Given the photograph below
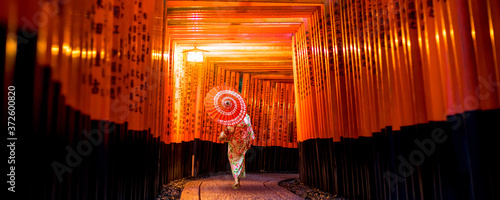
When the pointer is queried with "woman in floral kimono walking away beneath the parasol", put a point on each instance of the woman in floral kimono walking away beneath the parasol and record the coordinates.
(239, 138)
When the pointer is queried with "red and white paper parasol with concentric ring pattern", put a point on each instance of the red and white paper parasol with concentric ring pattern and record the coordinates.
(225, 105)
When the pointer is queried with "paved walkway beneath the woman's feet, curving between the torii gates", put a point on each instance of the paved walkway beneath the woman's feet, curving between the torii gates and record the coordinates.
(254, 186)
